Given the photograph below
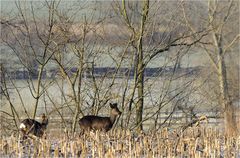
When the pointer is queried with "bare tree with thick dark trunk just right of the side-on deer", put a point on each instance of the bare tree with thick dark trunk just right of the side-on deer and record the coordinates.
(142, 26)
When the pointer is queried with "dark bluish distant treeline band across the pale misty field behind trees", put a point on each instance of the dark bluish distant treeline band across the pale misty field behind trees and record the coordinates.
(104, 71)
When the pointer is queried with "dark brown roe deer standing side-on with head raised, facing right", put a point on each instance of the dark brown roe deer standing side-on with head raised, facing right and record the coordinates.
(92, 122)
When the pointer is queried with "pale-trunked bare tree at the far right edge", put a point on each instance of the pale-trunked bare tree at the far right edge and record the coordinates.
(221, 18)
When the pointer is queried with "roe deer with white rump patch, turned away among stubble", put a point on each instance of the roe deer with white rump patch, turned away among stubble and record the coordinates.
(33, 127)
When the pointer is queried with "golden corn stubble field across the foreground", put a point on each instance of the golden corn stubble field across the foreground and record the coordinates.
(193, 142)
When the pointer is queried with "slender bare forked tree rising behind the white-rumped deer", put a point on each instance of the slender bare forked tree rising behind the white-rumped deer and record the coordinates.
(30, 41)
